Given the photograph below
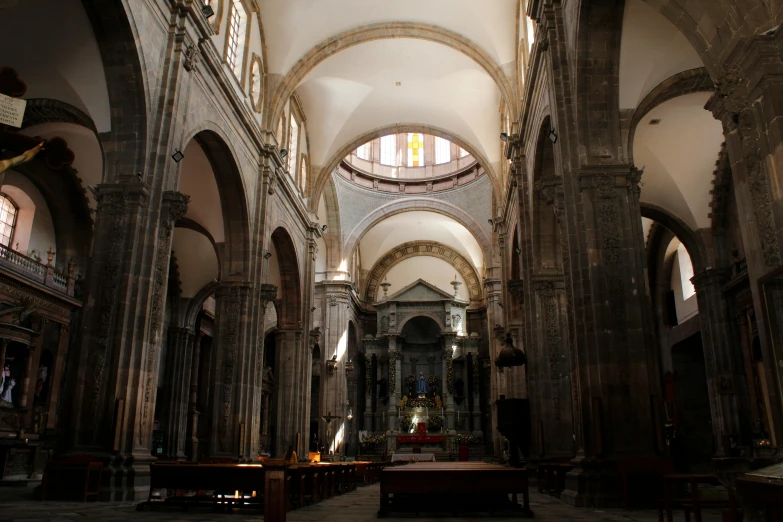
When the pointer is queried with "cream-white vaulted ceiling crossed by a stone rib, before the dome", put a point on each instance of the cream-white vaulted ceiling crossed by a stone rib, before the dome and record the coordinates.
(402, 62)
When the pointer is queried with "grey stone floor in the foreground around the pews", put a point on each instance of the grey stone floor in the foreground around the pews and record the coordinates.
(16, 505)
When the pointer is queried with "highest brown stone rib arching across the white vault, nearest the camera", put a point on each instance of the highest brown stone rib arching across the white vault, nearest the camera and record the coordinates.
(379, 31)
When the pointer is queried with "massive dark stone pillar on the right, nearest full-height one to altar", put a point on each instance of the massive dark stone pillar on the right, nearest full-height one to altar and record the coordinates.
(615, 347)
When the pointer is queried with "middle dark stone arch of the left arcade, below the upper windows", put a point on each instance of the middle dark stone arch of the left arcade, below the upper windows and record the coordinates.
(235, 258)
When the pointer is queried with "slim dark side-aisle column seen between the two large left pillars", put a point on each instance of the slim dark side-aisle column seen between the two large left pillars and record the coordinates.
(177, 380)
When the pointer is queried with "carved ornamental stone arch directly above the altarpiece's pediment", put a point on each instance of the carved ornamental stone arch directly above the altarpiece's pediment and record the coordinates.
(422, 248)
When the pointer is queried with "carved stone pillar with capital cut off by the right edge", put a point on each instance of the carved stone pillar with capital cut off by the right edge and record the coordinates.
(748, 102)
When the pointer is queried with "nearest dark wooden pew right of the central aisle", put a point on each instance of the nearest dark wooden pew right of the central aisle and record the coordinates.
(453, 487)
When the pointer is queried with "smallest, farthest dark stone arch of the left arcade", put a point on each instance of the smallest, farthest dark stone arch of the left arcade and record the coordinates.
(290, 309)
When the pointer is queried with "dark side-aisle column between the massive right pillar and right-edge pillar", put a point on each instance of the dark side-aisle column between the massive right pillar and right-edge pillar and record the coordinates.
(724, 376)
